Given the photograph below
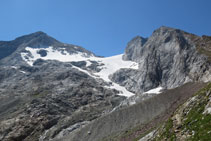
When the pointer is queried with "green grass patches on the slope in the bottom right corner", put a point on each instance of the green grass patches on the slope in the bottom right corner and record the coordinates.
(195, 124)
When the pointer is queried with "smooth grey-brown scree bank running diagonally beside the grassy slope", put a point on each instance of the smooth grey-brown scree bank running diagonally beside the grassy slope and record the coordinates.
(127, 123)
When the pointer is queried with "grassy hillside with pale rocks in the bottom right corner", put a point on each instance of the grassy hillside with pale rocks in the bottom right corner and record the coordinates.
(191, 121)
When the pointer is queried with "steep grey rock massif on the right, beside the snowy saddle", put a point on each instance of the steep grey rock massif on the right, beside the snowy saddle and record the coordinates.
(168, 58)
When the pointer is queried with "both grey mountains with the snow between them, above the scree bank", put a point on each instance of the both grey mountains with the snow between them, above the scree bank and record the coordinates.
(52, 89)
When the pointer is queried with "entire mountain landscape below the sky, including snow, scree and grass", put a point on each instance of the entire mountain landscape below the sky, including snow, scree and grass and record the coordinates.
(158, 89)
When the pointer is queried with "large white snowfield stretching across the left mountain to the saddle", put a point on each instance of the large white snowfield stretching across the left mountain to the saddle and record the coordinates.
(109, 64)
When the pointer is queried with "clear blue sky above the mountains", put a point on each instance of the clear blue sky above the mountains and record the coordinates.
(102, 26)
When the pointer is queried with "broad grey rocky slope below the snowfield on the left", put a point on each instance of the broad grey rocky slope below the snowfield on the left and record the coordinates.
(48, 98)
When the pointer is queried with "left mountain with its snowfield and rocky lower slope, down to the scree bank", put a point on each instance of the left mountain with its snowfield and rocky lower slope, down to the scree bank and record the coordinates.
(46, 84)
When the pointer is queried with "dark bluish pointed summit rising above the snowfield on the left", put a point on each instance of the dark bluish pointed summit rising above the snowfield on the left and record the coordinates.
(34, 40)
